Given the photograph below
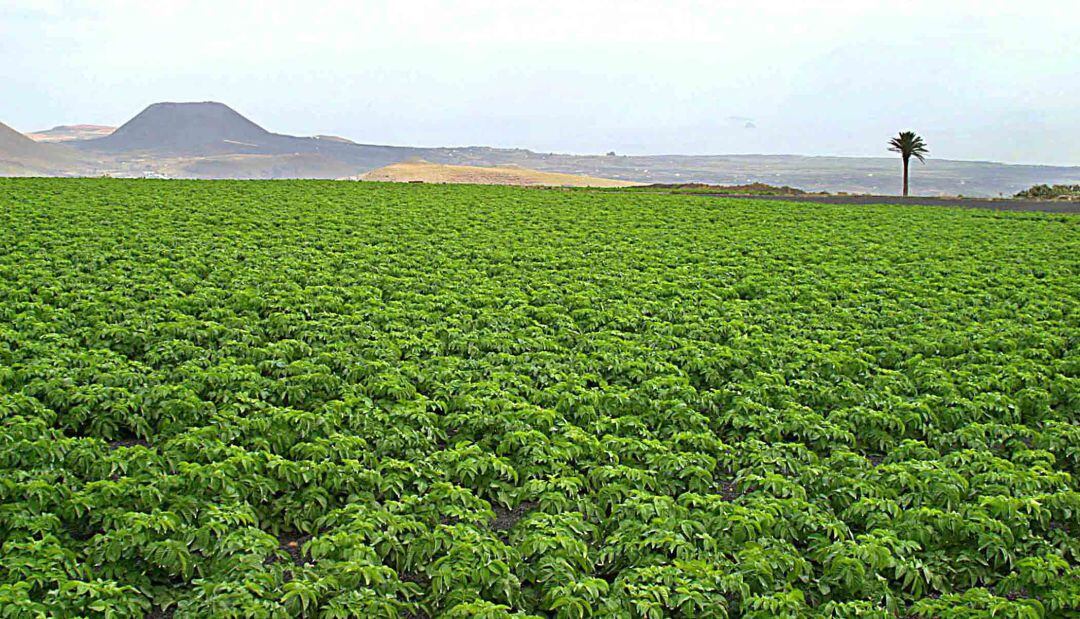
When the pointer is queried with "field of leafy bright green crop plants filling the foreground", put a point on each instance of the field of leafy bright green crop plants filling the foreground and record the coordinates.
(319, 399)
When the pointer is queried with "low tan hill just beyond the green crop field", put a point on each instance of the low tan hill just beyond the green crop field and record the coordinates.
(420, 171)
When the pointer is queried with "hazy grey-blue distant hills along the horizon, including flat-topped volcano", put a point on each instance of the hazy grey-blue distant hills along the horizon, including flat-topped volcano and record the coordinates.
(210, 140)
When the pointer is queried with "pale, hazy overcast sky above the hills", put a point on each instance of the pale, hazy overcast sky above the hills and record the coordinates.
(979, 79)
